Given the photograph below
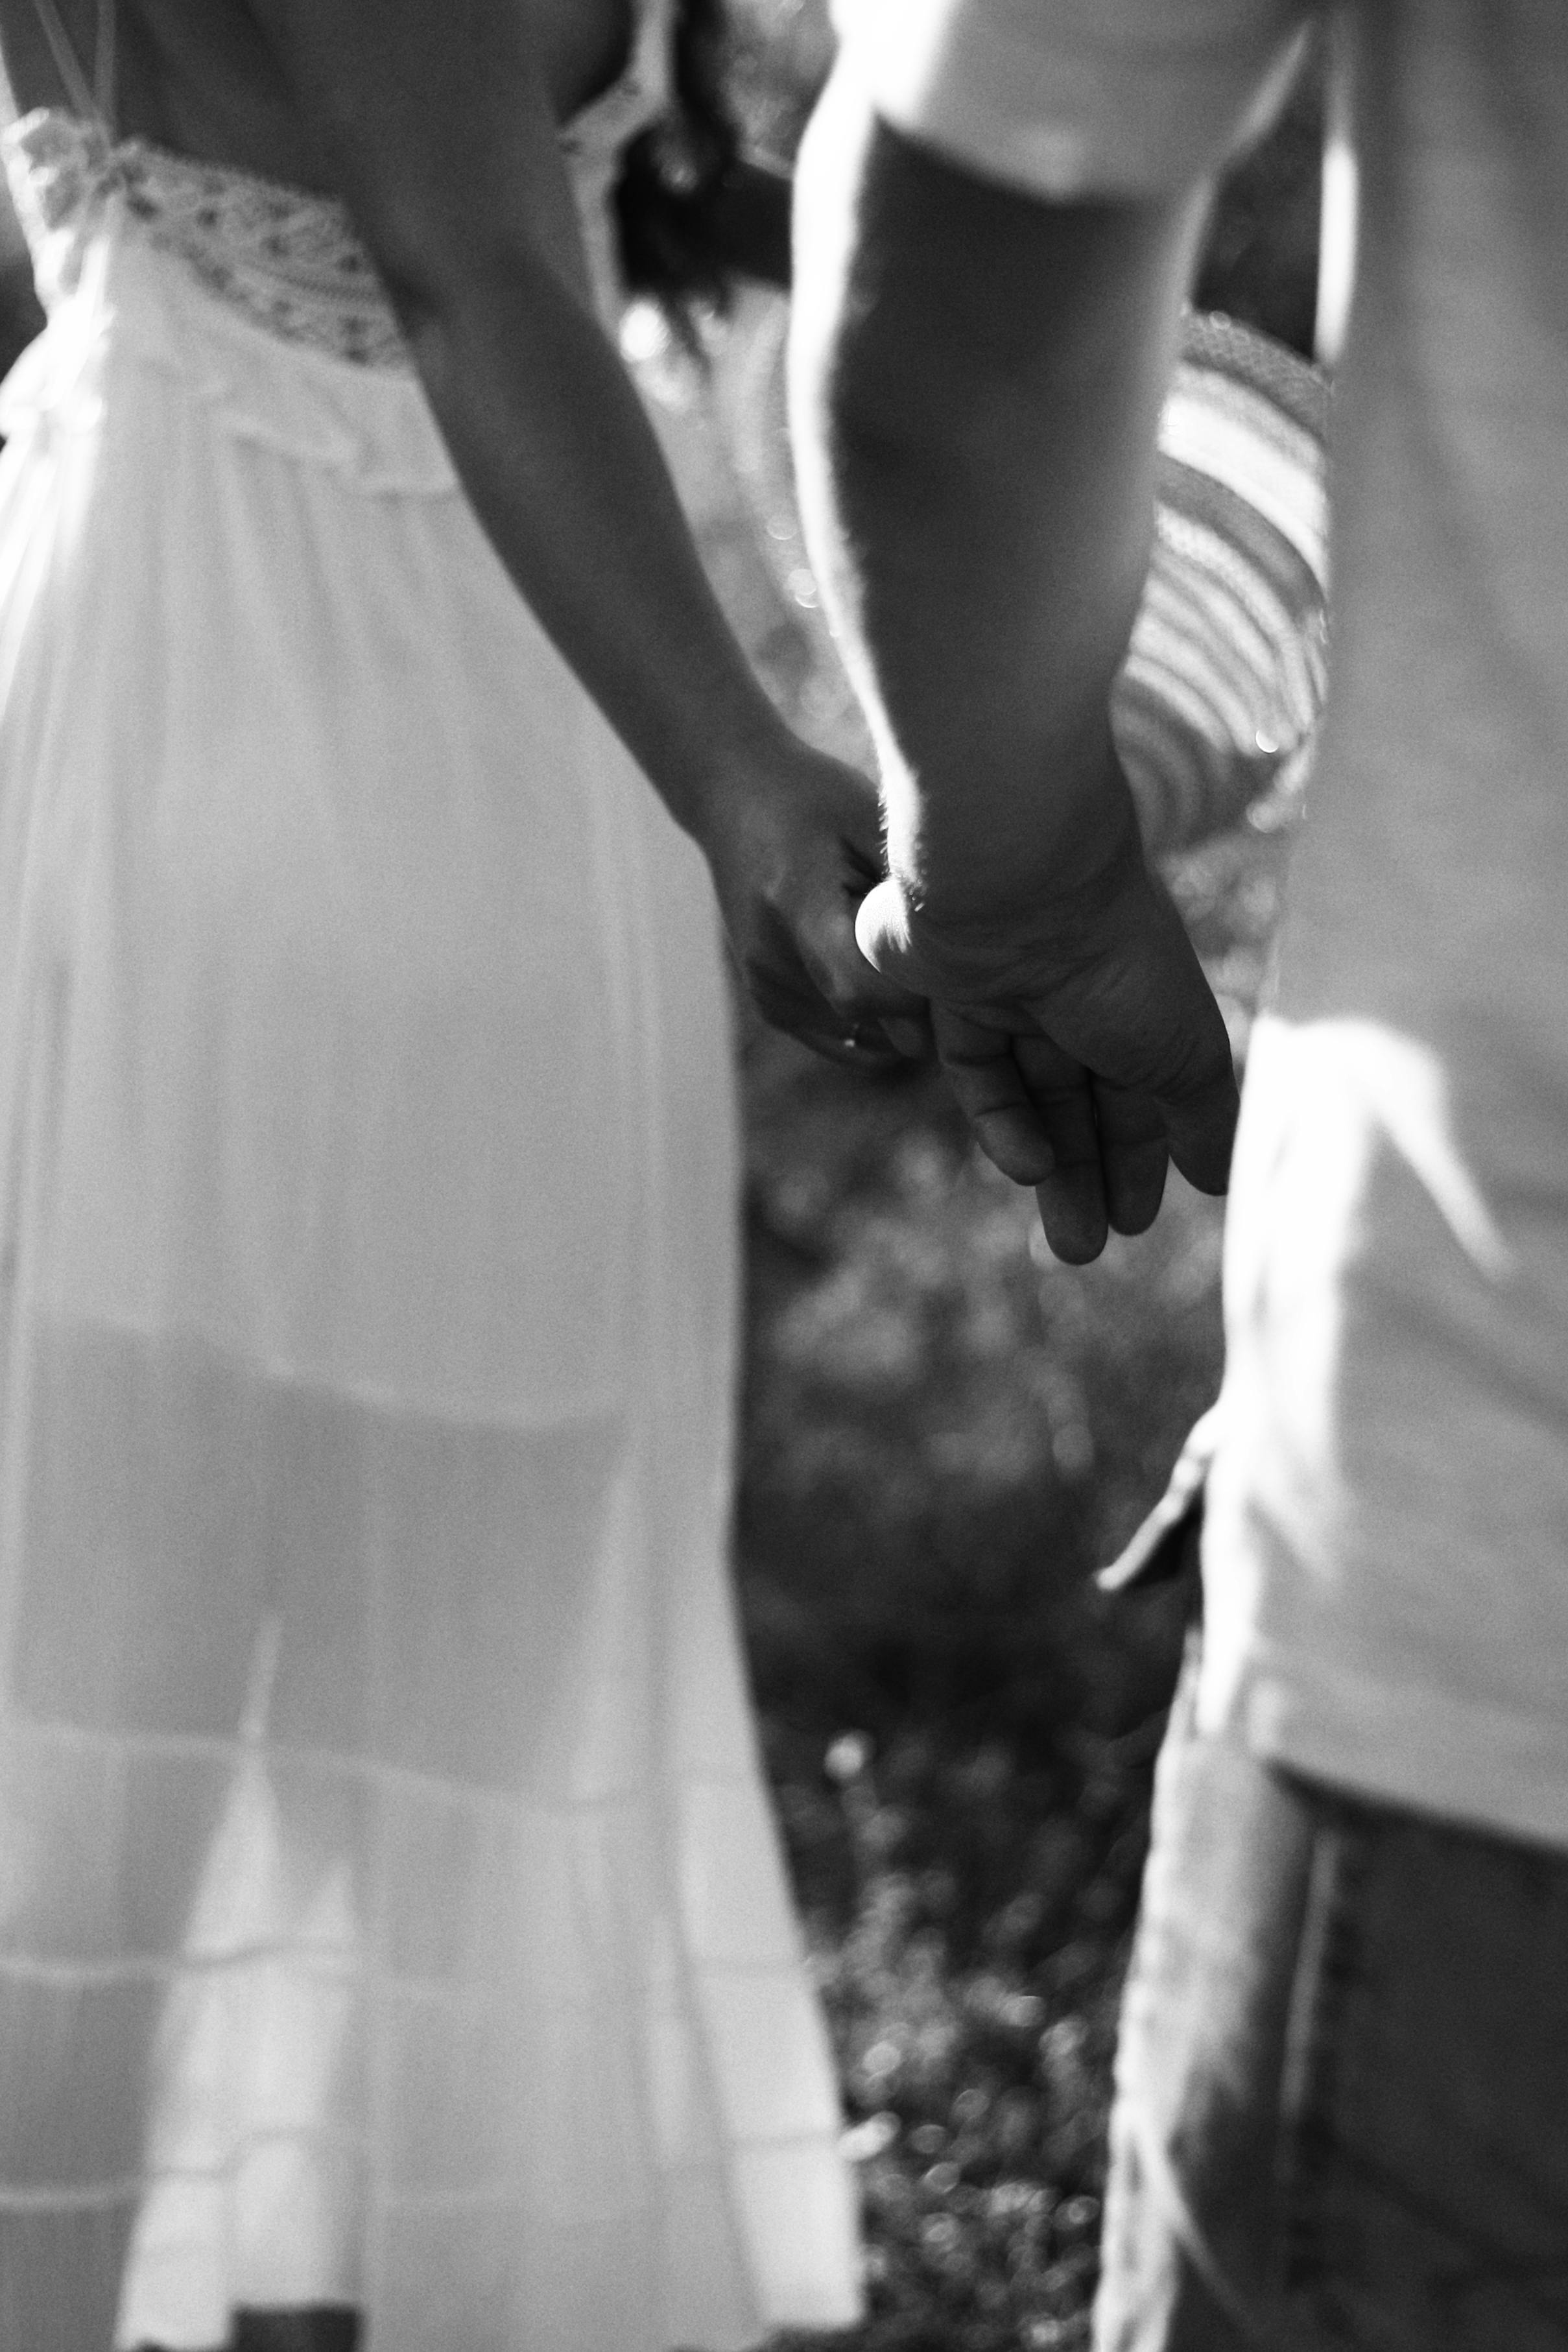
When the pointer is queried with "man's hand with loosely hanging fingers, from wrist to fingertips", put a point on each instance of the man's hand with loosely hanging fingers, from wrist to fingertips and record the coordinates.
(1080, 1038)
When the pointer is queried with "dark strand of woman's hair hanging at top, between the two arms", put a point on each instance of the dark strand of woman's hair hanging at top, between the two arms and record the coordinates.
(674, 178)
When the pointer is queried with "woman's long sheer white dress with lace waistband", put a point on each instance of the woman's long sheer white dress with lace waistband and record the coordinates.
(389, 1899)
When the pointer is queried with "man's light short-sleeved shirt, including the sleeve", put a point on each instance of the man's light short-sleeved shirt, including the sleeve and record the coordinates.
(1386, 1551)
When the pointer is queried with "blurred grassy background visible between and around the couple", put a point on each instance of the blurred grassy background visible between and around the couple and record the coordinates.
(944, 1436)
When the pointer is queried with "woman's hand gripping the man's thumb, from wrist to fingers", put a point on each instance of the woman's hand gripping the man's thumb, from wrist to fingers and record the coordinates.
(793, 848)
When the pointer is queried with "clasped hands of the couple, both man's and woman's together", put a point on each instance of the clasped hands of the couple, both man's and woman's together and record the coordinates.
(1073, 1022)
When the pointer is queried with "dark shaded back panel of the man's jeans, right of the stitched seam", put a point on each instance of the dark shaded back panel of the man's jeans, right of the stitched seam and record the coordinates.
(1423, 2149)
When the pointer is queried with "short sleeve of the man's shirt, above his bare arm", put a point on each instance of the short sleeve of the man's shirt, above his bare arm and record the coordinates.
(1076, 98)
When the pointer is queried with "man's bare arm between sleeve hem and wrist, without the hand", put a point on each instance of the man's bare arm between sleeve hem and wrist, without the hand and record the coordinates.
(977, 382)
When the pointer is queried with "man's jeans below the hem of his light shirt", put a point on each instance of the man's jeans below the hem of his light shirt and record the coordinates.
(1343, 2078)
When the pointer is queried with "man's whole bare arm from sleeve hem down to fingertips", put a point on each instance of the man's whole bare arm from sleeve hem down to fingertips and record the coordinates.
(977, 382)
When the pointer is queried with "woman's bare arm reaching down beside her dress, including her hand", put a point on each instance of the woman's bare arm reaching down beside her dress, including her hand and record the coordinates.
(441, 138)
